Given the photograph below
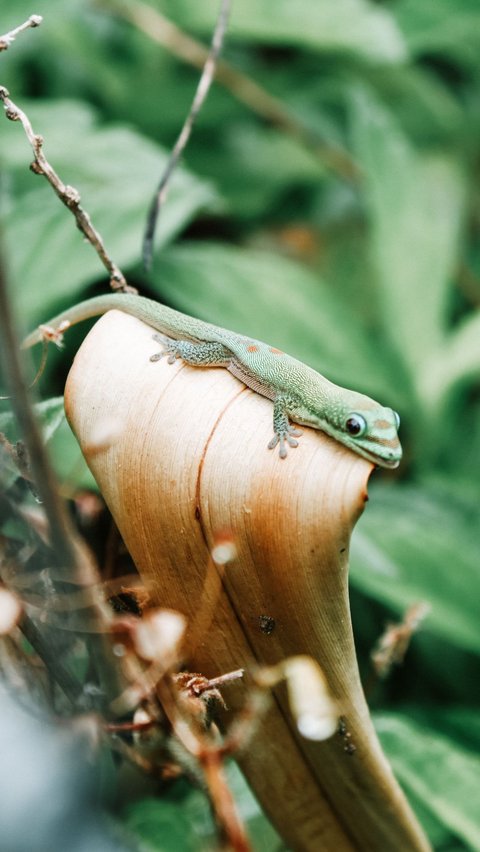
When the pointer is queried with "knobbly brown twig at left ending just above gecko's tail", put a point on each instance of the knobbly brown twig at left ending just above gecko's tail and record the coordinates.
(67, 194)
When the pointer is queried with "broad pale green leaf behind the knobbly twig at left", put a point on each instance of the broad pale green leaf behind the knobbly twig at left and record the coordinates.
(115, 171)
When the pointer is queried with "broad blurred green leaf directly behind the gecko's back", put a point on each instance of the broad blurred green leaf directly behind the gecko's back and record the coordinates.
(275, 299)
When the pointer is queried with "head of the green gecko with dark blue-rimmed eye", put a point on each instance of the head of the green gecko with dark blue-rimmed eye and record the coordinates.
(367, 428)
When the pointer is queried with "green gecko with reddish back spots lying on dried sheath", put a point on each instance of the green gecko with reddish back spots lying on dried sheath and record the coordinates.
(298, 392)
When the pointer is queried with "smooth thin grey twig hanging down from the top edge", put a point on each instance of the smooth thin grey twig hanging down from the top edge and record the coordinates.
(197, 103)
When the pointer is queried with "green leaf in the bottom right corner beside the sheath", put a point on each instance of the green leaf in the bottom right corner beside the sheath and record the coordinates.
(442, 775)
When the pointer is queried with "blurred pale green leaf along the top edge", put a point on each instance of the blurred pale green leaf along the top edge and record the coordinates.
(356, 26)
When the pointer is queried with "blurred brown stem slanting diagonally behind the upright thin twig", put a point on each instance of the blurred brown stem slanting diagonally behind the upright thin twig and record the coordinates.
(157, 27)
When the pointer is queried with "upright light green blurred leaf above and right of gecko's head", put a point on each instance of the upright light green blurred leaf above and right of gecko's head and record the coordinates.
(415, 204)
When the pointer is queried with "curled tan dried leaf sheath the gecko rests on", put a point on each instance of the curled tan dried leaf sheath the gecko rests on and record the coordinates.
(180, 454)
